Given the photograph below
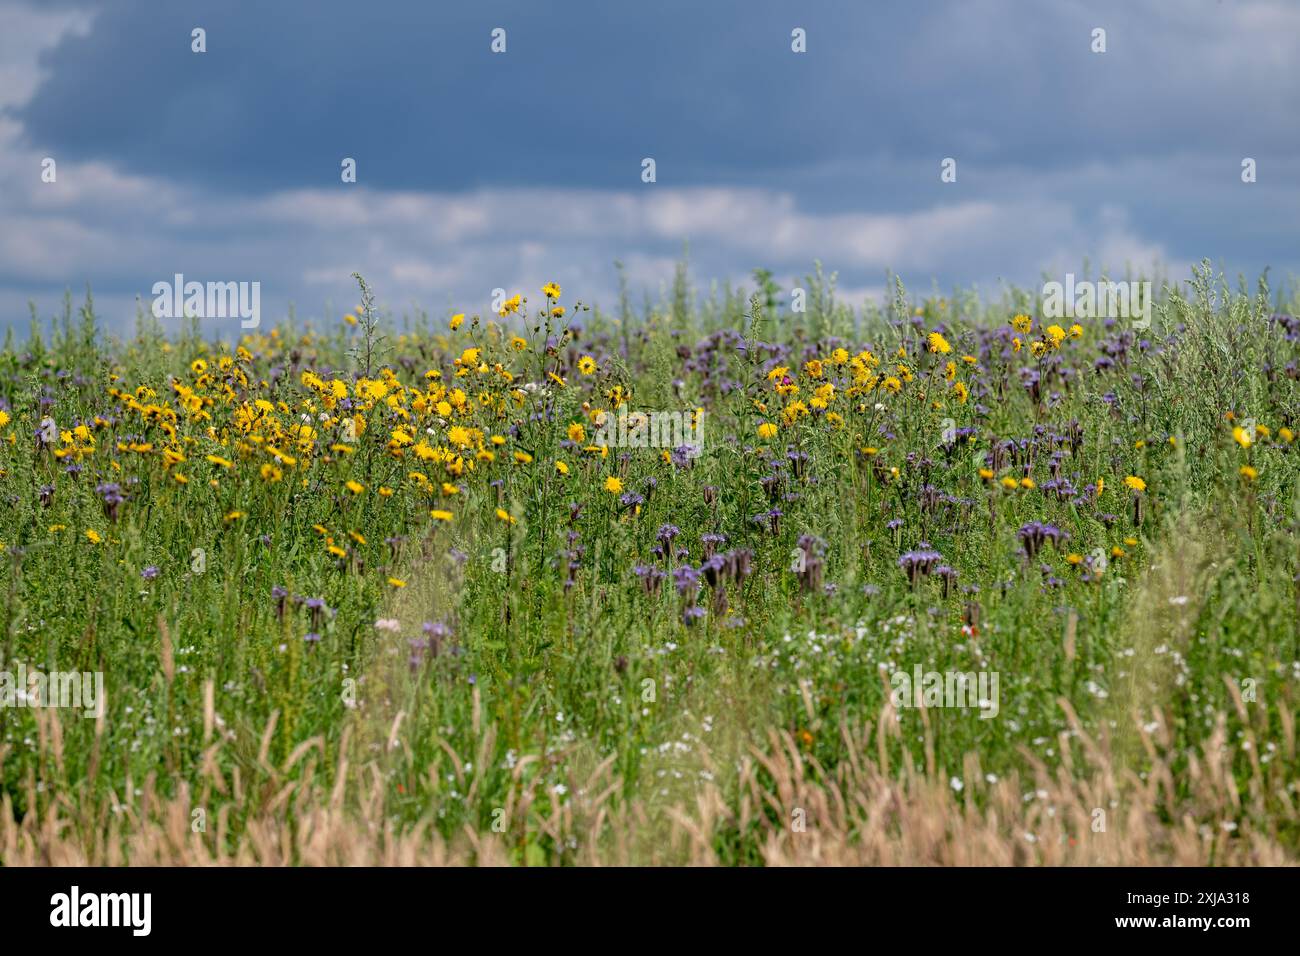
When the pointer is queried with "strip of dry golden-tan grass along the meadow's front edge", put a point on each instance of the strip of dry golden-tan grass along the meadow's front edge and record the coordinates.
(865, 814)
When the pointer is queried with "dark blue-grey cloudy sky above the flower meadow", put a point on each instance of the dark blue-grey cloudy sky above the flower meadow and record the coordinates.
(480, 170)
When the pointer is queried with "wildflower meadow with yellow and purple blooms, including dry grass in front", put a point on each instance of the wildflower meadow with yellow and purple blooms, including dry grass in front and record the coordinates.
(396, 590)
